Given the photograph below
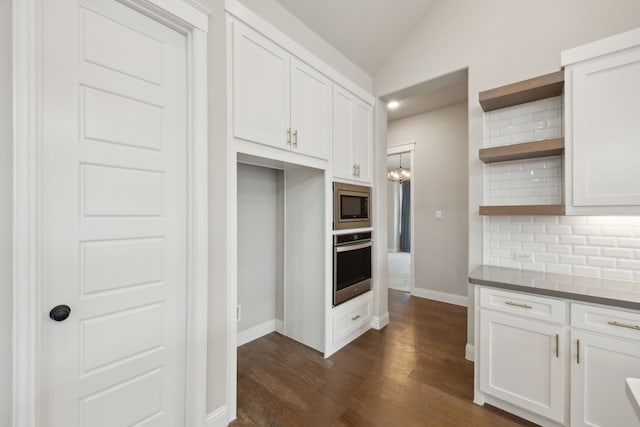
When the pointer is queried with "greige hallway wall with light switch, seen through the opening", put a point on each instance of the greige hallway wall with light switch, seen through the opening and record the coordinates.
(439, 177)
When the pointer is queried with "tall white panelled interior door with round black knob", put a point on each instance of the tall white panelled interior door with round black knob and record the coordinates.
(114, 229)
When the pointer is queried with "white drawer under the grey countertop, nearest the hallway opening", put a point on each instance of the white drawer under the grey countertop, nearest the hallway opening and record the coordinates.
(526, 305)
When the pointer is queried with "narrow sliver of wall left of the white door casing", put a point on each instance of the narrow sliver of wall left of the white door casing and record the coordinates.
(5, 214)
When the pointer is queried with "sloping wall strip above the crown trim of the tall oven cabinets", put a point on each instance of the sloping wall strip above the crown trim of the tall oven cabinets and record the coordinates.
(272, 12)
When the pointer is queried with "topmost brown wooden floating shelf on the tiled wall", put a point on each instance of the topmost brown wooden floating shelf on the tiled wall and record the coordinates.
(530, 90)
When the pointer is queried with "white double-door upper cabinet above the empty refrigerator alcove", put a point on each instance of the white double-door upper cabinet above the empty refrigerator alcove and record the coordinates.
(278, 100)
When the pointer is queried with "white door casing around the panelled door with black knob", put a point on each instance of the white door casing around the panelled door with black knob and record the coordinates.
(28, 214)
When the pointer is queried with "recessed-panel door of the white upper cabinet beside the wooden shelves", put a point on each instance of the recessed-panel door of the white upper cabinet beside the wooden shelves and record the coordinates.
(606, 131)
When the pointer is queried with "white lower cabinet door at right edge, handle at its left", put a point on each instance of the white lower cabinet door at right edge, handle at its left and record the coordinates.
(598, 396)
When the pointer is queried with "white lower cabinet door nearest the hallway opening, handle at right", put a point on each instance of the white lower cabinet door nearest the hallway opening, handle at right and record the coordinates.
(523, 363)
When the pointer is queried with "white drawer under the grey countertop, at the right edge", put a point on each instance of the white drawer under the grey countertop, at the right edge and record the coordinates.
(610, 321)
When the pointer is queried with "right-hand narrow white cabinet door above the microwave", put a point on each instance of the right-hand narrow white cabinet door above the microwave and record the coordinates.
(362, 140)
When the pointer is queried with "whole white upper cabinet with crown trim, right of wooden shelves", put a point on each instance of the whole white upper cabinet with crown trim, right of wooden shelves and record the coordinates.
(602, 134)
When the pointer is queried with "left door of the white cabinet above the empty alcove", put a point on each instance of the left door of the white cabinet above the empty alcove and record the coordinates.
(260, 88)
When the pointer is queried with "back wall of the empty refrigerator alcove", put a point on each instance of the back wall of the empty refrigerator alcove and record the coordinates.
(258, 244)
